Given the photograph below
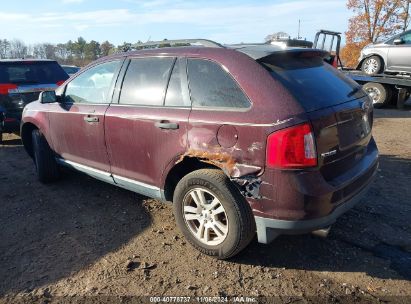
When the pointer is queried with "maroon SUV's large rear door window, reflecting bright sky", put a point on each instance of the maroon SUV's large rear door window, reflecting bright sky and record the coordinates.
(146, 81)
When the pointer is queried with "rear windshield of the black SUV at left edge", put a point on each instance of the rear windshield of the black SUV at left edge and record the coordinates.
(31, 72)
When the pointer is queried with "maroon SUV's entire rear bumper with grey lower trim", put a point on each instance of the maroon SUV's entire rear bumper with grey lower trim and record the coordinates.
(301, 202)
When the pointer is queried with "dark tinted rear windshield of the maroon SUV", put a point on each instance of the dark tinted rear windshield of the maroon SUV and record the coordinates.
(314, 83)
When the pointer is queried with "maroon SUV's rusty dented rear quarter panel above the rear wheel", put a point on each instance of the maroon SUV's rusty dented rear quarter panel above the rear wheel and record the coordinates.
(235, 139)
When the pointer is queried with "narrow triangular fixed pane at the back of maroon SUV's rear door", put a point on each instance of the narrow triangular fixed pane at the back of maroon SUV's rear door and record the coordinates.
(177, 90)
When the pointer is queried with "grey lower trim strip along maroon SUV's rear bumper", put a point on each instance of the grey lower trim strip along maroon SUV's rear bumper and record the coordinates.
(268, 229)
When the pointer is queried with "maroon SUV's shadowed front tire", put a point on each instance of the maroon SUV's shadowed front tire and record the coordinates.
(44, 159)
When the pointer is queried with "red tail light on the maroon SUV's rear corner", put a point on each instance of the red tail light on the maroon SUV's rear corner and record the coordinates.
(292, 147)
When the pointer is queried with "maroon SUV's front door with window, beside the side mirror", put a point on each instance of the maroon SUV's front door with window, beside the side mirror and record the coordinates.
(77, 123)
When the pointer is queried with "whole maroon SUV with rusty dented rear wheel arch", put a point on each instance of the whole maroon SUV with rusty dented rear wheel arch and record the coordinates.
(242, 139)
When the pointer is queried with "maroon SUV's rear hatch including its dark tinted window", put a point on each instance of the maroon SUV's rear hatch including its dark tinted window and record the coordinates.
(340, 112)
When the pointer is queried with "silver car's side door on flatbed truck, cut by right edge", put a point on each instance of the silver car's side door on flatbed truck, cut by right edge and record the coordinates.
(399, 56)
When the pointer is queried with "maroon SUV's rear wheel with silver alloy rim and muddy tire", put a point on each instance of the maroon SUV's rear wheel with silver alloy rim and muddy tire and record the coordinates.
(236, 222)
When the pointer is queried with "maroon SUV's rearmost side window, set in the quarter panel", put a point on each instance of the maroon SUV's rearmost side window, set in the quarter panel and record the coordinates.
(211, 86)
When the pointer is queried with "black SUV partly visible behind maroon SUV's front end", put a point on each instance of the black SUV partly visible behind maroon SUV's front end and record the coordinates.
(21, 81)
